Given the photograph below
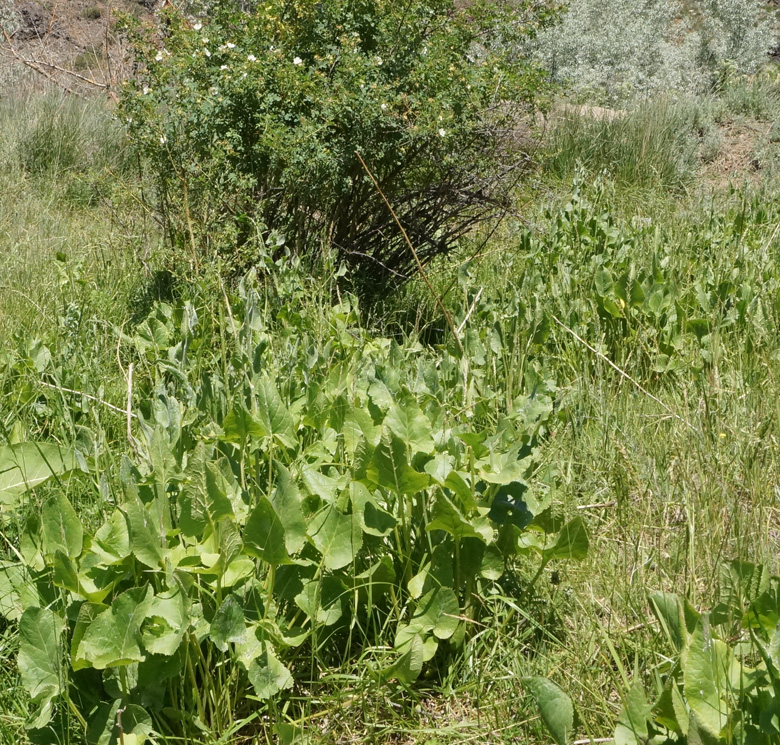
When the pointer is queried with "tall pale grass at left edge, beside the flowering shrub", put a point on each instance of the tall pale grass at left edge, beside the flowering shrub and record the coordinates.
(65, 189)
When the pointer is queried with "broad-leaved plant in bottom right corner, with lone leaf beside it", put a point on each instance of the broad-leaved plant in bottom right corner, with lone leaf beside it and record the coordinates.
(722, 682)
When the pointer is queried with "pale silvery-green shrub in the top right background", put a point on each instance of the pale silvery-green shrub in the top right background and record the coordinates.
(611, 51)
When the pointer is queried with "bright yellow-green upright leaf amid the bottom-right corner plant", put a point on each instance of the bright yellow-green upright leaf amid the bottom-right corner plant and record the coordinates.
(704, 678)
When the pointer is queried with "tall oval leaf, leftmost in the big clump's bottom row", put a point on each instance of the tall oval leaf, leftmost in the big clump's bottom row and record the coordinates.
(40, 658)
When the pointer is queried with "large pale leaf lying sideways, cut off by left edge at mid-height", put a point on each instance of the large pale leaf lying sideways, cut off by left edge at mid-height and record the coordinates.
(26, 465)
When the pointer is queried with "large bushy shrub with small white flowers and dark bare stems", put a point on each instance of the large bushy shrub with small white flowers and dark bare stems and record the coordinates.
(252, 122)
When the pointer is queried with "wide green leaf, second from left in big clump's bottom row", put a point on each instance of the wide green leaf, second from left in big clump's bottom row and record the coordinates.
(114, 637)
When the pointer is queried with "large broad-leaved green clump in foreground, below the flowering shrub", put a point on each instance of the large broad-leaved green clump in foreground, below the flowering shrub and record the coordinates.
(318, 500)
